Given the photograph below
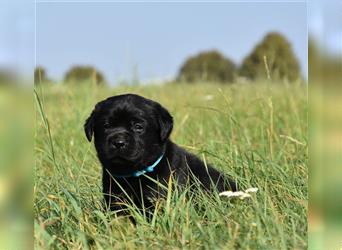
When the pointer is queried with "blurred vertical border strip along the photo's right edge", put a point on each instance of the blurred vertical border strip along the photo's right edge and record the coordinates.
(325, 134)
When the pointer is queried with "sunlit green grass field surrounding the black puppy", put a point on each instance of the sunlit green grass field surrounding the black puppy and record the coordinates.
(256, 133)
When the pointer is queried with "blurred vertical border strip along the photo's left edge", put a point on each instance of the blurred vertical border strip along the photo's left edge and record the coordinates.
(16, 126)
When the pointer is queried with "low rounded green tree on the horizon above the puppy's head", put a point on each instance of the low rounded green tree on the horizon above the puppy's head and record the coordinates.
(84, 73)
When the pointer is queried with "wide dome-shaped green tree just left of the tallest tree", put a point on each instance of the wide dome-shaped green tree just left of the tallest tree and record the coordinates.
(207, 66)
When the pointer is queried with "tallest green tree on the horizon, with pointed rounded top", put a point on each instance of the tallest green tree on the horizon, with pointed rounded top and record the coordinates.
(272, 57)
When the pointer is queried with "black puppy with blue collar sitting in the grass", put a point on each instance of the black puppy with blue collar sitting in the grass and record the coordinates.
(132, 143)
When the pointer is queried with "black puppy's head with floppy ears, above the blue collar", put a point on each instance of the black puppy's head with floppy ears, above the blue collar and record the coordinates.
(130, 132)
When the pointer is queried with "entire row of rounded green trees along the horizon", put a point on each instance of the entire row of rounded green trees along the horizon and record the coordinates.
(272, 58)
